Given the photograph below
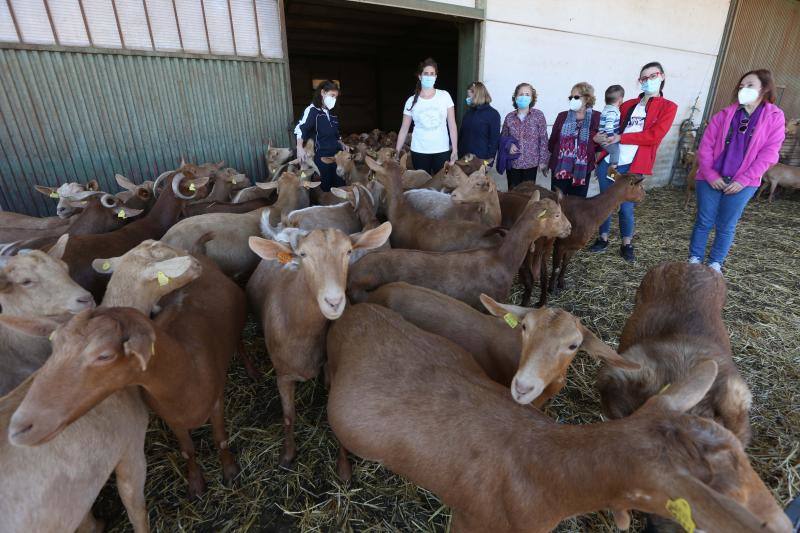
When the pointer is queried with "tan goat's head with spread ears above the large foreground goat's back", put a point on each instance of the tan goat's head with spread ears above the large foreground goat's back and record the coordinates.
(550, 340)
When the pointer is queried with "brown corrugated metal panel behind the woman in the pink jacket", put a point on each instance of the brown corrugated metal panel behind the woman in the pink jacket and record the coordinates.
(765, 34)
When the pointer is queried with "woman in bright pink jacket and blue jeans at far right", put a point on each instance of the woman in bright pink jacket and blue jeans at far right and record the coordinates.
(740, 143)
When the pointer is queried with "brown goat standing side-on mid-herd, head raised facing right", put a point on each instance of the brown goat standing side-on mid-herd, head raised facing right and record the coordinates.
(464, 275)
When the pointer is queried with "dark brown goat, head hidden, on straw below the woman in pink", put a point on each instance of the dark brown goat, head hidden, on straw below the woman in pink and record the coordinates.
(675, 326)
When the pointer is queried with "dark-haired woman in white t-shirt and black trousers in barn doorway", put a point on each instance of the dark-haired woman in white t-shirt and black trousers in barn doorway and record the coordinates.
(435, 139)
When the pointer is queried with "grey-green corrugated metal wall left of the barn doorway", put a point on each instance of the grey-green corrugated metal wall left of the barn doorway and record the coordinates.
(67, 116)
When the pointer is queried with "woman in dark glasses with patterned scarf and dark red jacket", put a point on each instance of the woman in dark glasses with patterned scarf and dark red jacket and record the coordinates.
(572, 147)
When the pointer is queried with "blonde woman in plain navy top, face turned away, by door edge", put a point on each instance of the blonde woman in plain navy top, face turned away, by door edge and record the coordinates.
(480, 127)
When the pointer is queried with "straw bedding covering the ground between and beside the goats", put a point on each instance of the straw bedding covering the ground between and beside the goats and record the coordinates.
(762, 314)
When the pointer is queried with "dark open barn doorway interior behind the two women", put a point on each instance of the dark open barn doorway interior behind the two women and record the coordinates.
(372, 51)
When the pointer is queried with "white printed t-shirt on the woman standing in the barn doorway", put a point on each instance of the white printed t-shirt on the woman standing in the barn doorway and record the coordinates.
(430, 134)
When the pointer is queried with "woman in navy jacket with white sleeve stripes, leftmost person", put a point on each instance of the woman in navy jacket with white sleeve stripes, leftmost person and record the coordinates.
(319, 123)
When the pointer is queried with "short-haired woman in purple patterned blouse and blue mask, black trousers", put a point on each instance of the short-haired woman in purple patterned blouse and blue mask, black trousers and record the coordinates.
(528, 128)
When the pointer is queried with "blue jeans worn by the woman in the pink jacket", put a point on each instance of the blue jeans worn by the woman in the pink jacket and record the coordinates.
(721, 212)
